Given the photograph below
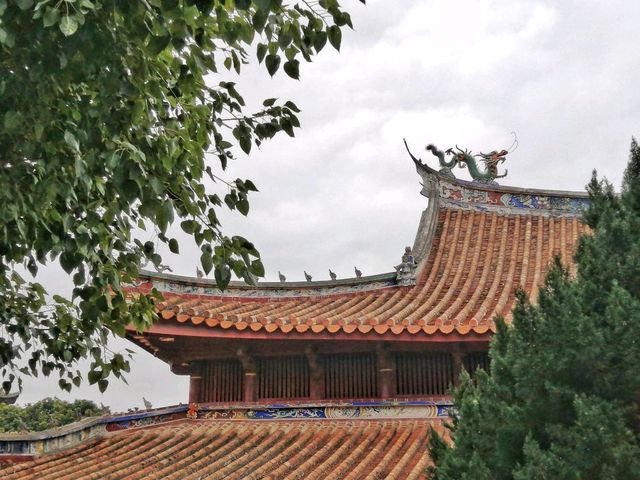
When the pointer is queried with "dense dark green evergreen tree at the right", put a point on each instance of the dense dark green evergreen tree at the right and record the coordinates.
(563, 396)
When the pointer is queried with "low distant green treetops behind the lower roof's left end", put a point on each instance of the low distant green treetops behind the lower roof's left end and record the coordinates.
(46, 413)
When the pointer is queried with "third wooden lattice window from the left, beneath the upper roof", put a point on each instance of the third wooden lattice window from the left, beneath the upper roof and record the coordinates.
(350, 376)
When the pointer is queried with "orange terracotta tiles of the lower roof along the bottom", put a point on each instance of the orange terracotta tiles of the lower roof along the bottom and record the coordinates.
(281, 449)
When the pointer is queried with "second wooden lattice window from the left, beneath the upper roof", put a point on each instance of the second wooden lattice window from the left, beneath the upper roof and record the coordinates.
(283, 377)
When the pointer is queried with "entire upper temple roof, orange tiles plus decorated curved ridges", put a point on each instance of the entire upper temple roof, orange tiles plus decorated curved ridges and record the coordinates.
(476, 244)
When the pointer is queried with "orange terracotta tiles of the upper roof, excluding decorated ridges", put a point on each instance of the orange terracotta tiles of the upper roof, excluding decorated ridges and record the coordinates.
(476, 261)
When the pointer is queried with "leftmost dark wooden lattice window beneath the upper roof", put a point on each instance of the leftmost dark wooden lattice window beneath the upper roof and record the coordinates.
(222, 381)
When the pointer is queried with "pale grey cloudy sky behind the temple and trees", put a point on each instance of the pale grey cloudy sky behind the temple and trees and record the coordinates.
(563, 75)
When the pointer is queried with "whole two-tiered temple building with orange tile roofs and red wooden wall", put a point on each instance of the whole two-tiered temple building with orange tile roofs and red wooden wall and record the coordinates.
(327, 379)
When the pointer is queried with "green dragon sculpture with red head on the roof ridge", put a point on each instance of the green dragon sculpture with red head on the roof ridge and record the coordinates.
(465, 158)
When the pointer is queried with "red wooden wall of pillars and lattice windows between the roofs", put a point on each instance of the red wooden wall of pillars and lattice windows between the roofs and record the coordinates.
(334, 376)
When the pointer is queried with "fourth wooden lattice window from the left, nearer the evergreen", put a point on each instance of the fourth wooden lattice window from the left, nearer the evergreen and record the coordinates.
(423, 373)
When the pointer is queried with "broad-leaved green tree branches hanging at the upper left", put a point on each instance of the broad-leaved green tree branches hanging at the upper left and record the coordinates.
(112, 115)
